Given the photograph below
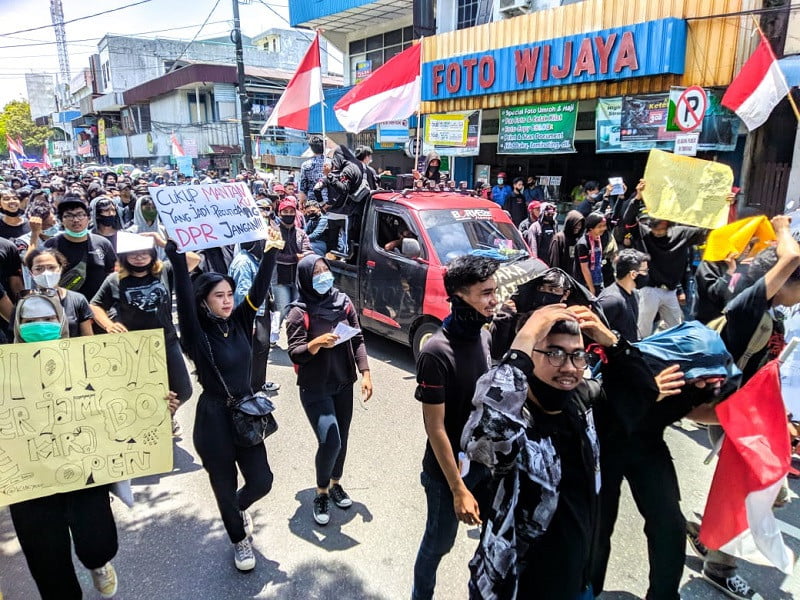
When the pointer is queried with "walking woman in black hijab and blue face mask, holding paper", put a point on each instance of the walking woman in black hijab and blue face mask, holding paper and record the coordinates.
(326, 358)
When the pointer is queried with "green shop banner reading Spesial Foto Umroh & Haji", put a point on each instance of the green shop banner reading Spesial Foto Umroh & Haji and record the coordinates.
(538, 129)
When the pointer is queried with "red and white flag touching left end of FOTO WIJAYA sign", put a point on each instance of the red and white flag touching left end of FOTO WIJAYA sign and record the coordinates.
(391, 92)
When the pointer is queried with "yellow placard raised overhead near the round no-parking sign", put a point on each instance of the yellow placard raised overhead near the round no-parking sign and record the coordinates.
(687, 190)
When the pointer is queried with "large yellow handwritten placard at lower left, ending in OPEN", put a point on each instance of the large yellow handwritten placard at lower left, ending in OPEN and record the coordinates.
(82, 412)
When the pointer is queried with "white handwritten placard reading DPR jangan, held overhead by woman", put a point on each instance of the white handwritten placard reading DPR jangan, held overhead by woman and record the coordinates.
(208, 216)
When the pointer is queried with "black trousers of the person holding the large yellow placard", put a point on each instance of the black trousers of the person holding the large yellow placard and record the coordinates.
(44, 527)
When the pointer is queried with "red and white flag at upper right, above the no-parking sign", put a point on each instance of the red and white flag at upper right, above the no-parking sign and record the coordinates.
(758, 87)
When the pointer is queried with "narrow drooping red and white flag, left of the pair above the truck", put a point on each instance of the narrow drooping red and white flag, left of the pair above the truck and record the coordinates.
(303, 92)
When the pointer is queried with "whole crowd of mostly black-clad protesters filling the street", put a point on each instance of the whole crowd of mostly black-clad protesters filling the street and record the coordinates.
(535, 409)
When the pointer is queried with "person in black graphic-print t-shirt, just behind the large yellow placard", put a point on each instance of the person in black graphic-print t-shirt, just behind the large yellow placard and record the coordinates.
(140, 295)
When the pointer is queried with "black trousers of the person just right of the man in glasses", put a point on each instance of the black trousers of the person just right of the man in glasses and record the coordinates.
(647, 465)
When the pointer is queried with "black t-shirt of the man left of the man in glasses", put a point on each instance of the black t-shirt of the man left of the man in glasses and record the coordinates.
(447, 370)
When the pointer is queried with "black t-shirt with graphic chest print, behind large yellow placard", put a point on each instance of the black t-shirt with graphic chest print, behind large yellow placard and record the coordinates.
(139, 302)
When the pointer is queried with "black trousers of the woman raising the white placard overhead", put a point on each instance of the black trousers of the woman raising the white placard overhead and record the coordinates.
(213, 441)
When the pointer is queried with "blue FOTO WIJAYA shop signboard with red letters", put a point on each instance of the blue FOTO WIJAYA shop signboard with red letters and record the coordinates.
(644, 49)
